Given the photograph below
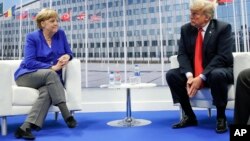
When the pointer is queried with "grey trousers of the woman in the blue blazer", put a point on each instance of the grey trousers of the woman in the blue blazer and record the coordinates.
(51, 91)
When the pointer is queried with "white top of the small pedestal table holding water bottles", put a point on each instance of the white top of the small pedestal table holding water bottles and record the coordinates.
(129, 85)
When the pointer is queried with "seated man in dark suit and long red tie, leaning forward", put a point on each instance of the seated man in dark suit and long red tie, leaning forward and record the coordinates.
(216, 62)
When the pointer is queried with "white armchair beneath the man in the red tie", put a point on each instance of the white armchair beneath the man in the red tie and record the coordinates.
(203, 98)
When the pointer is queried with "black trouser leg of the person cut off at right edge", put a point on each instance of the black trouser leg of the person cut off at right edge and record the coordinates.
(242, 98)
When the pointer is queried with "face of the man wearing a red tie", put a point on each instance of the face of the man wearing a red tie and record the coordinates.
(198, 18)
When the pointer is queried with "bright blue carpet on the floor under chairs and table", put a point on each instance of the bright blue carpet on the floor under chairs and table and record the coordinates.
(93, 127)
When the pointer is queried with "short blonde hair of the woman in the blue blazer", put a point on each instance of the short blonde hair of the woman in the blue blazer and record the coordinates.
(45, 14)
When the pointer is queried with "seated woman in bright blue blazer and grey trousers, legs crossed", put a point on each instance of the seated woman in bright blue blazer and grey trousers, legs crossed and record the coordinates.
(46, 52)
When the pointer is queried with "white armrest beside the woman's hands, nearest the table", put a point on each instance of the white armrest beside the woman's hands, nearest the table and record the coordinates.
(73, 84)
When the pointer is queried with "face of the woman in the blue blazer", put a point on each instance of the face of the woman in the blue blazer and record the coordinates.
(50, 25)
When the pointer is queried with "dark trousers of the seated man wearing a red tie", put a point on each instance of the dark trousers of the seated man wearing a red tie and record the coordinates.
(217, 80)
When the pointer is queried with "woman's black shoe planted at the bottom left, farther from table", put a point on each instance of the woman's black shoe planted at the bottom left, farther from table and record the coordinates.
(20, 133)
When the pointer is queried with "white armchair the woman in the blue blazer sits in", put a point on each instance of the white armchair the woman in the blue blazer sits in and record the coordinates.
(15, 100)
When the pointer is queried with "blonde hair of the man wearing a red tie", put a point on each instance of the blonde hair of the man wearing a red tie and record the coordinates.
(207, 7)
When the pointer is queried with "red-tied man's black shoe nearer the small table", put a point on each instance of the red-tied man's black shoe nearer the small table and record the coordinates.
(185, 122)
